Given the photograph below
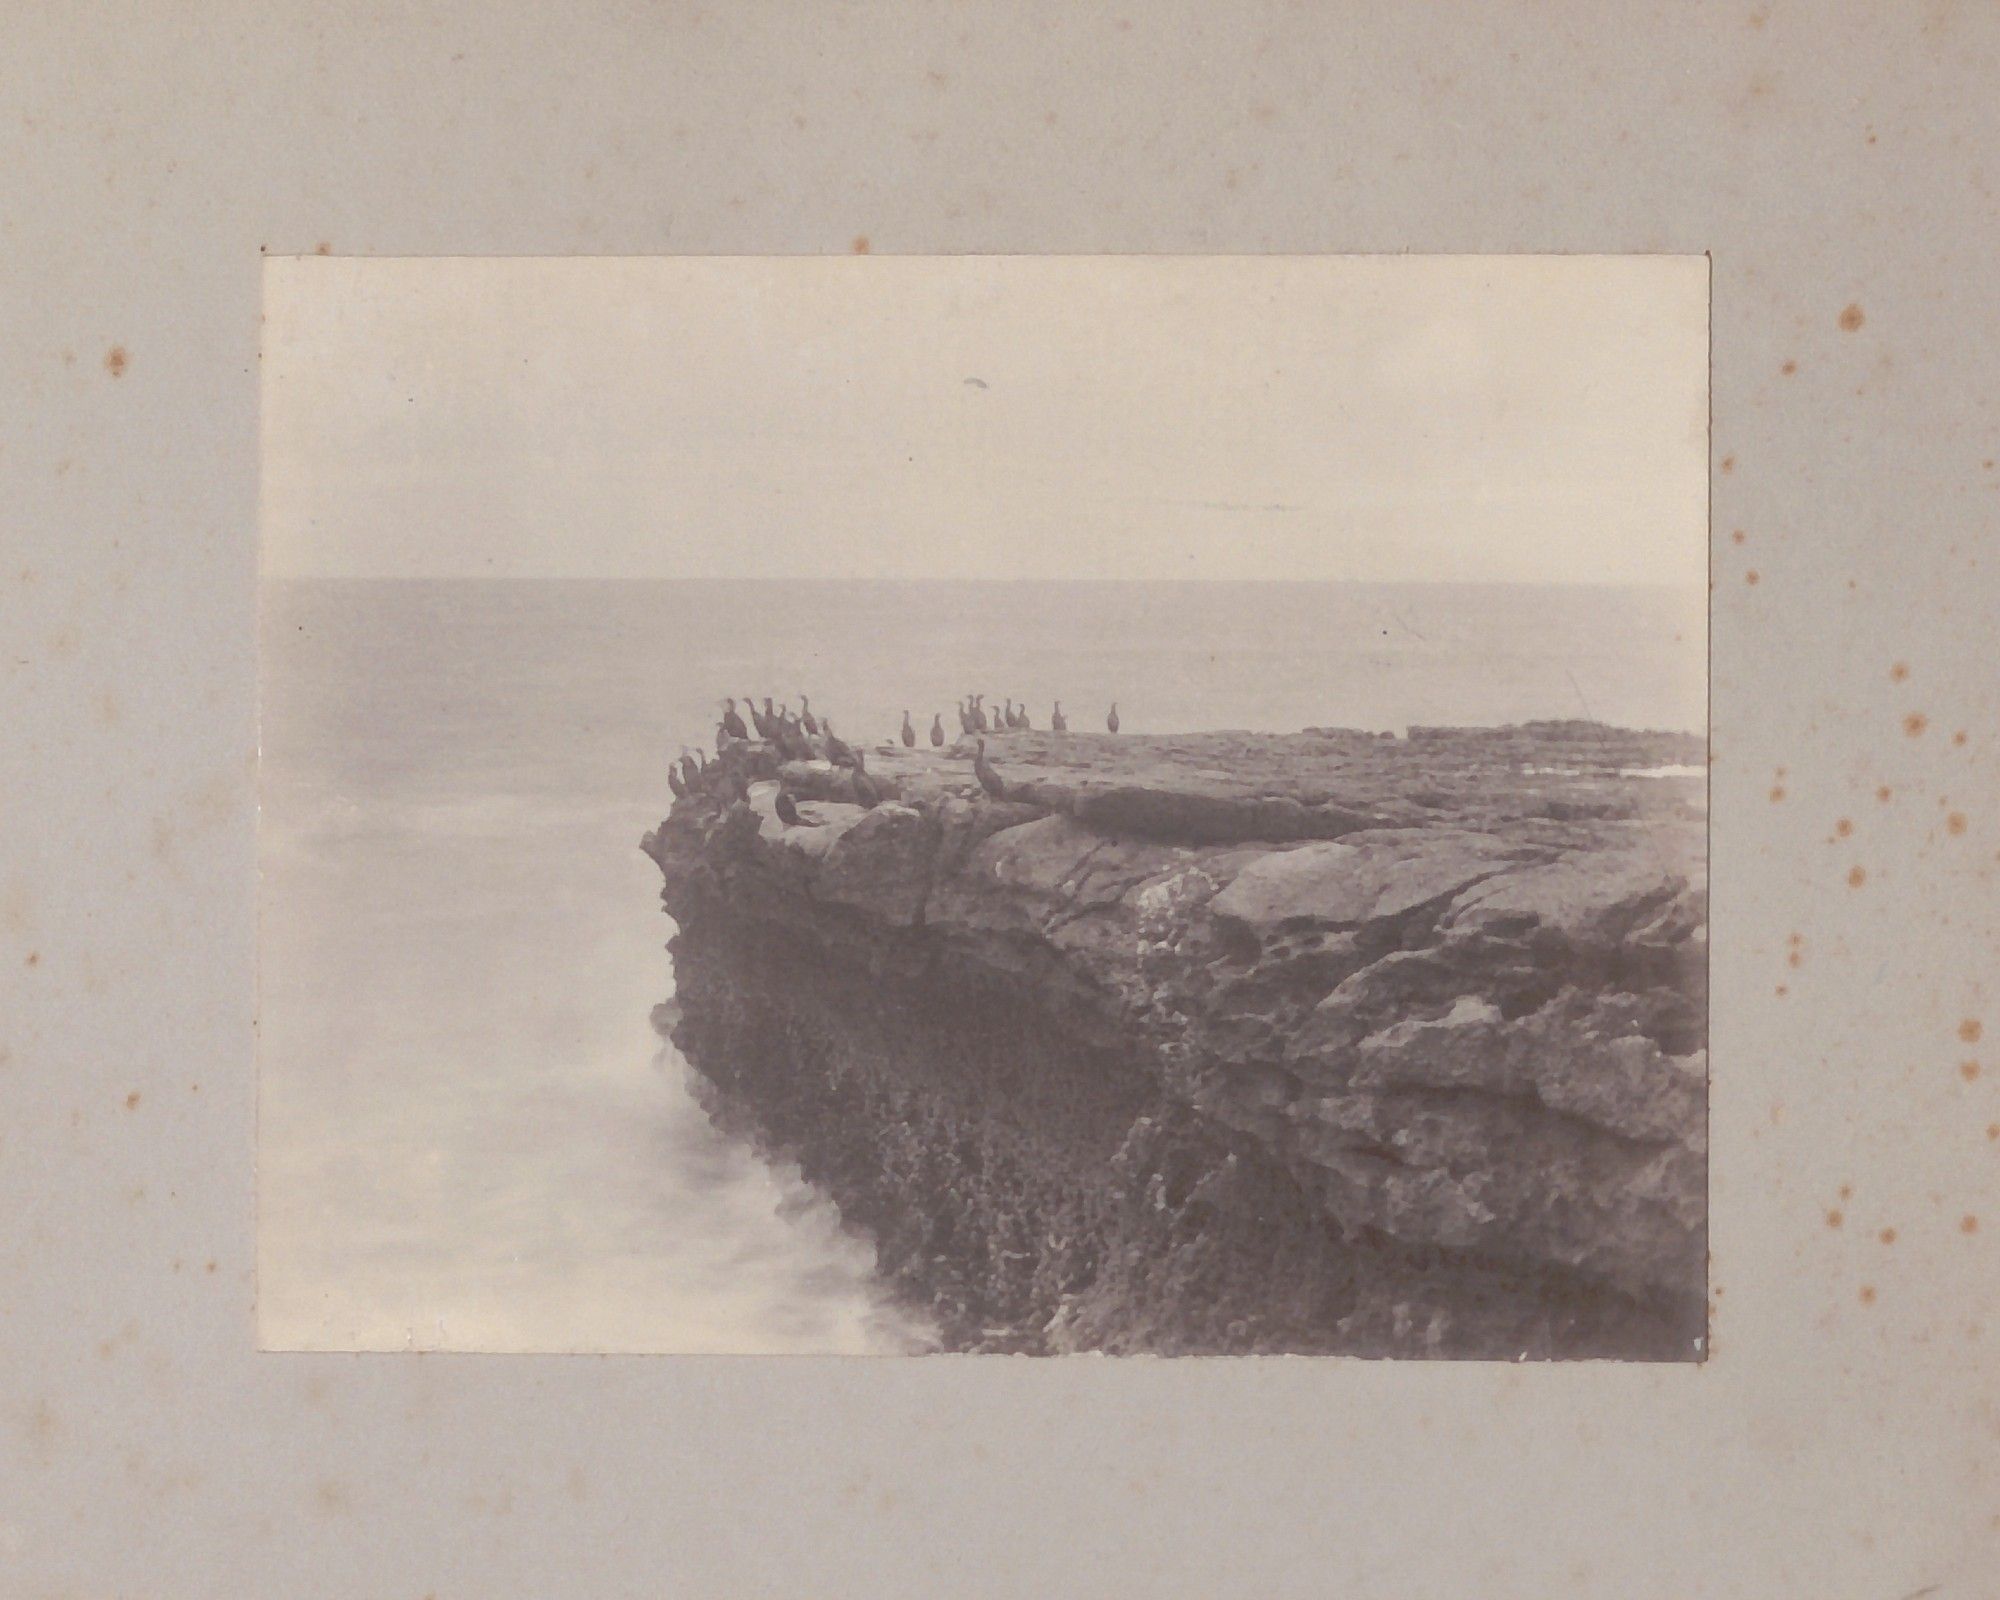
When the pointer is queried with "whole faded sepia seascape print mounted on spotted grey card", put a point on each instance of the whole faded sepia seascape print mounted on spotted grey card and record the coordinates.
(987, 805)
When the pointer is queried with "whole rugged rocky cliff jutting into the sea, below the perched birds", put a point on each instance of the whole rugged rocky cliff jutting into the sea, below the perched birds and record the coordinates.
(1231, 1043)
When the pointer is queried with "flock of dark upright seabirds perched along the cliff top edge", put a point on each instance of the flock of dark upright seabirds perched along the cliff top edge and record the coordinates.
(803, 737)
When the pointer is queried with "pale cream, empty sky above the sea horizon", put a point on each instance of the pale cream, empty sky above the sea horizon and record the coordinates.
(1421, 419)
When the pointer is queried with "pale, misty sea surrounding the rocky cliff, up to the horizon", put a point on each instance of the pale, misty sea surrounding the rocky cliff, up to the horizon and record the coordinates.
(469, 1135)
